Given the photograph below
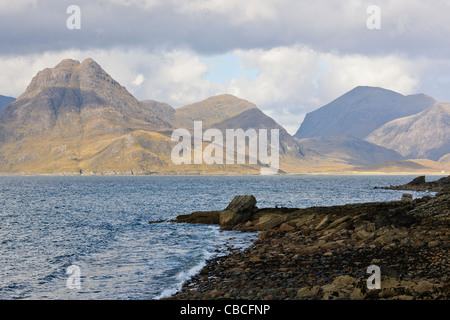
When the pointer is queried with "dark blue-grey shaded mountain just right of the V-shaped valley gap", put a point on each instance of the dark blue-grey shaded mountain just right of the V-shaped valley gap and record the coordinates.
(360, 111)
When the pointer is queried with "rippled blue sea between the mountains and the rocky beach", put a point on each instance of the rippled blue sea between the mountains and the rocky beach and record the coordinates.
(100, 225)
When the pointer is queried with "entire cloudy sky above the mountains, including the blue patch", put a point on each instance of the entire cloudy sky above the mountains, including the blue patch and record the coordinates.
(287, 56)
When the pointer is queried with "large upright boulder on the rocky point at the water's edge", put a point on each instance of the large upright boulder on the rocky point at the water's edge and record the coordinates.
(238, 211)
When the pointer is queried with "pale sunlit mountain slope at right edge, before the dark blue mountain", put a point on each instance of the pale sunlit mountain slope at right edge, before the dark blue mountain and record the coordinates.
(425, 135)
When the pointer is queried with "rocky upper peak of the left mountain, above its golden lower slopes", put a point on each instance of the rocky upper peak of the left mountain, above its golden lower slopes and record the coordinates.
(71, 89)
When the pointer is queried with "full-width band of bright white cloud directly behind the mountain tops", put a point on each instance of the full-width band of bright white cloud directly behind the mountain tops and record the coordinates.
(291, 81)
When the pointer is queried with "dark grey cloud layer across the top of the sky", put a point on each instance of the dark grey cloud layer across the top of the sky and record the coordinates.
(323, 25)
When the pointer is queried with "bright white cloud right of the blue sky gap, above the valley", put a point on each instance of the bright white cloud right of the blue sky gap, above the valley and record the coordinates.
(295, 80)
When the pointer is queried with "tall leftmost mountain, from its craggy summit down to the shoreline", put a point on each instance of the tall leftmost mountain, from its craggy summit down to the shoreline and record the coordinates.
(75, 117)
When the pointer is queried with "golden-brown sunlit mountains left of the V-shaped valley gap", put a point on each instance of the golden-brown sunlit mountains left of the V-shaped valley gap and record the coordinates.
(75, 118)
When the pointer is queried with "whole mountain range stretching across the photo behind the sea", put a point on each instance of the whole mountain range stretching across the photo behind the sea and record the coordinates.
(75, 118)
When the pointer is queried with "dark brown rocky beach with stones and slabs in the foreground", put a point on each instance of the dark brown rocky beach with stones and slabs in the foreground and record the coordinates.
(323, 253)
